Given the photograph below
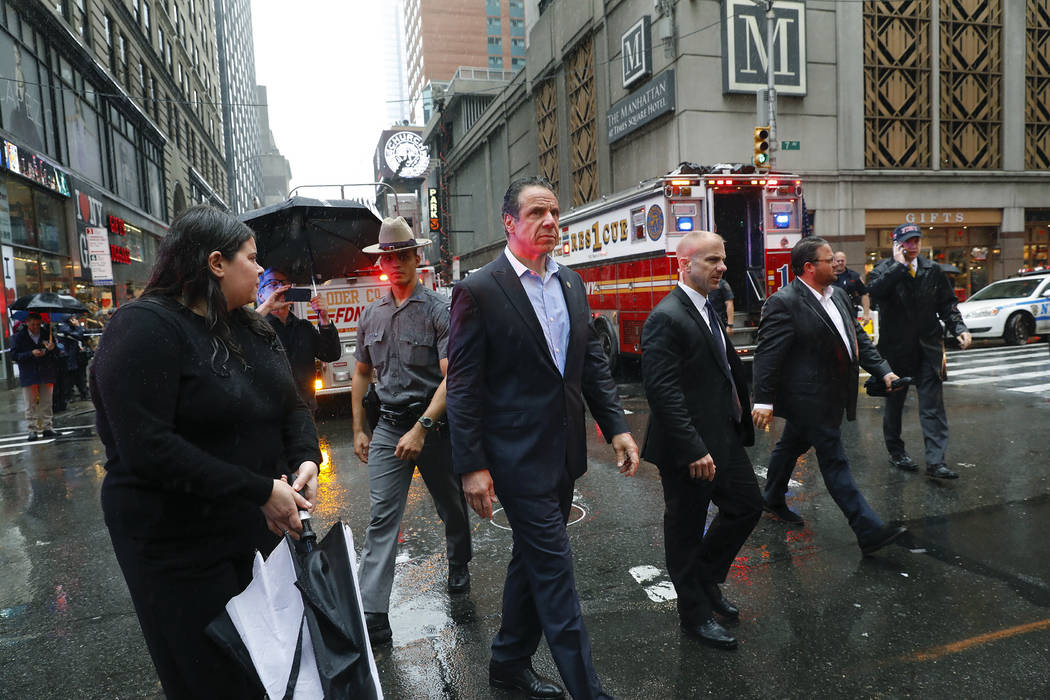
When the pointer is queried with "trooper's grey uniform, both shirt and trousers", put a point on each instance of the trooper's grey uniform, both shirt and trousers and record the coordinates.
(405, 346)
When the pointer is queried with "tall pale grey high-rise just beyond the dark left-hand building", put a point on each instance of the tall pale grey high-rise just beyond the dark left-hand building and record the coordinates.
(241, 128)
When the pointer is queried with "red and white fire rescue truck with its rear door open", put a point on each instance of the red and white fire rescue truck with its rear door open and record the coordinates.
(623, 246)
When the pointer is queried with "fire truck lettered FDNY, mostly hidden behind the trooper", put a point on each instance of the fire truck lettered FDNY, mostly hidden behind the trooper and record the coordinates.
(347, 299)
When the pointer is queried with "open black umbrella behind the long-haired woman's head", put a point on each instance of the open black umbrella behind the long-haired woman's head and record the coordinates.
(313, 241)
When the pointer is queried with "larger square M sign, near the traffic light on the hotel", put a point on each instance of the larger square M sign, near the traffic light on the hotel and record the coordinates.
(745, 47)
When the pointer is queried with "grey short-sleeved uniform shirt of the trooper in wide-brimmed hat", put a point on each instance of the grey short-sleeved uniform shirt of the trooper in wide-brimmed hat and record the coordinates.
(405, 346)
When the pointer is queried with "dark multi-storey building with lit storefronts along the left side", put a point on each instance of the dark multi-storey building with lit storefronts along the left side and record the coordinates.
(110, 128)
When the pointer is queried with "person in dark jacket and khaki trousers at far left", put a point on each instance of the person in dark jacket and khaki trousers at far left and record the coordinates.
(38, 368)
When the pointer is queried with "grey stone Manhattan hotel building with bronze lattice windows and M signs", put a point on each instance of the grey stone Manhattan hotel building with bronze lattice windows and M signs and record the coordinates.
(891, 113)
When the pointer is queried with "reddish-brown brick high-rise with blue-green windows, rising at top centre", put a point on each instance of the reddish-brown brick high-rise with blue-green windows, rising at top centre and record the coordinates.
(447, 36)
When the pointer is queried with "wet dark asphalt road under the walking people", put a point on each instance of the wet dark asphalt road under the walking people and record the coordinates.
(961, 609)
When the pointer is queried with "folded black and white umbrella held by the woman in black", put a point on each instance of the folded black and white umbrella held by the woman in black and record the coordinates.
(313, 650)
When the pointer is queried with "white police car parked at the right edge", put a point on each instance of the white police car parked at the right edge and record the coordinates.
(1014, 309)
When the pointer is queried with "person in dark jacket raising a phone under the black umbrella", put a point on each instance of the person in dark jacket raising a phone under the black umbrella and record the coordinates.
(303, 343)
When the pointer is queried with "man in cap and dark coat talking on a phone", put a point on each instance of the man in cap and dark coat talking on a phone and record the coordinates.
(915, 298)
